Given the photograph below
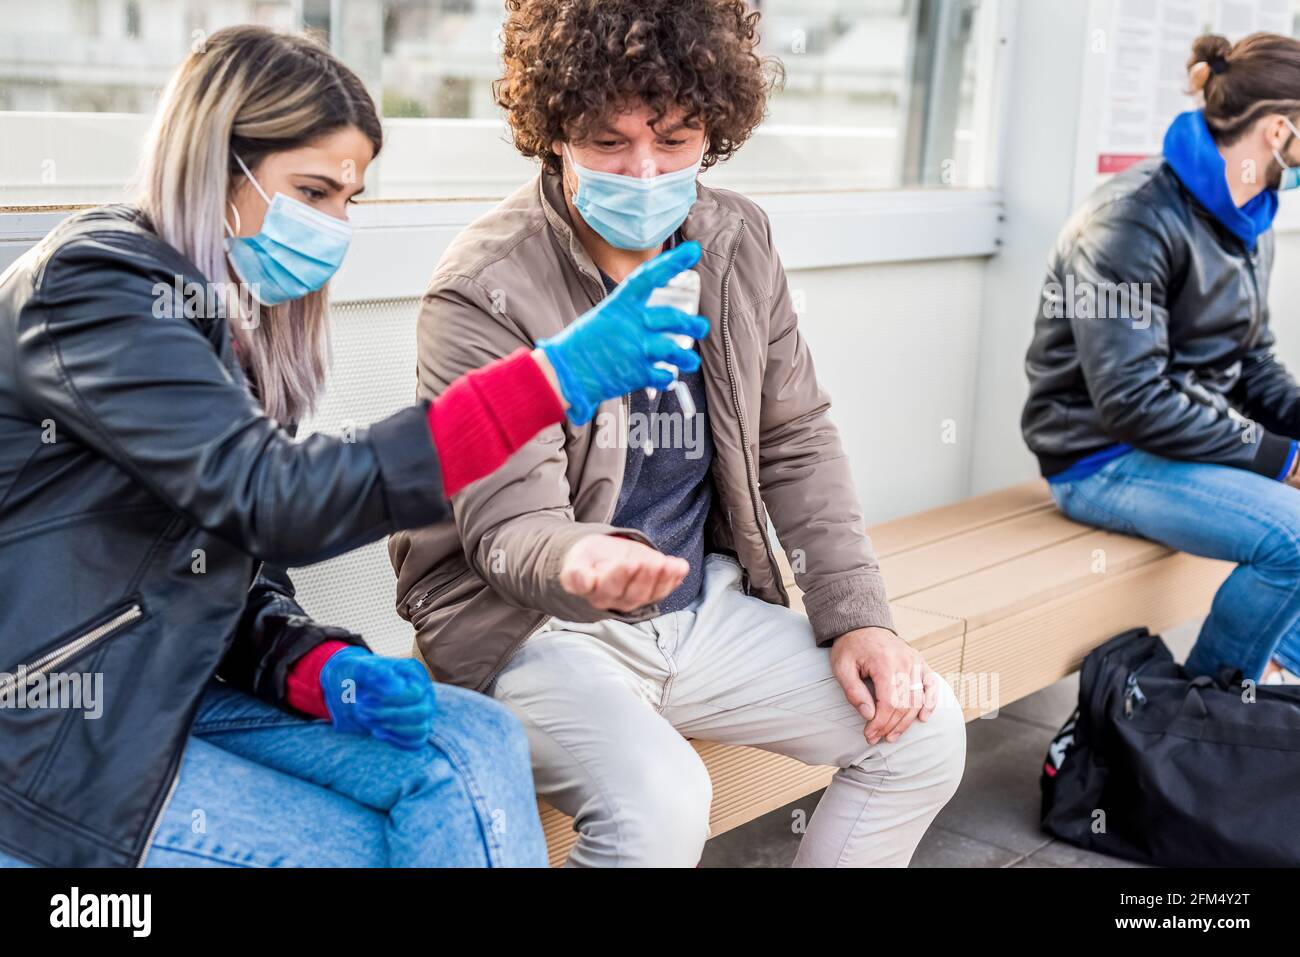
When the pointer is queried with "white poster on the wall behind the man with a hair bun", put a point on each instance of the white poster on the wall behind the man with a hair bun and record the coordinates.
(1146, 81)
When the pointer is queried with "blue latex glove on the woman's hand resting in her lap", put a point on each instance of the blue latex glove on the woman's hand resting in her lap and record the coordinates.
(391, 699)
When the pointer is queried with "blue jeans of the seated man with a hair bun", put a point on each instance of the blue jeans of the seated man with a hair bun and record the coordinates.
(1221, 513)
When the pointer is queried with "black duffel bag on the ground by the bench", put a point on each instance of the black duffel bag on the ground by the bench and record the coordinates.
(1164, 769)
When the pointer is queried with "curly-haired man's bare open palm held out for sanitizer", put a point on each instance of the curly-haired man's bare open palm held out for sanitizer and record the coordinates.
(618, 574)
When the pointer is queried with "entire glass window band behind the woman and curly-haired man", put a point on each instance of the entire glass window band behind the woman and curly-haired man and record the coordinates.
(879, 94)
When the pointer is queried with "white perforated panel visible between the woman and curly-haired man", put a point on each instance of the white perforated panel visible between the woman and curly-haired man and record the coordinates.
(374, 375)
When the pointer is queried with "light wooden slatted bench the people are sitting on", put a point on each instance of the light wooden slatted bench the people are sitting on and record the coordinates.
(1004, 596)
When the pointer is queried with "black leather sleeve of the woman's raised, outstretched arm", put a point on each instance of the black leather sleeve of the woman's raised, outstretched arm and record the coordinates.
(151, 395)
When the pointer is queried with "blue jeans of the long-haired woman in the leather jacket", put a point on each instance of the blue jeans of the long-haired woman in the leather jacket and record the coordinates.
(262, 789)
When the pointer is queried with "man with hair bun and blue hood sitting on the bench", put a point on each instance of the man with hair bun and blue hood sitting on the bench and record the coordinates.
(1158, 406)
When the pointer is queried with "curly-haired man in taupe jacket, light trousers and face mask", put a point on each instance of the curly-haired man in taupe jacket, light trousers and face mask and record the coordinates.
(616, 584)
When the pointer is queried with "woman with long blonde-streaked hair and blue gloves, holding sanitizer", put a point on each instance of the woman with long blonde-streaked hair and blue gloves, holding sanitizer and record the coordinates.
(154, 361)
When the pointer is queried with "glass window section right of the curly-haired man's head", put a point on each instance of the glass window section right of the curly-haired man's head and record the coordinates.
(879, 94)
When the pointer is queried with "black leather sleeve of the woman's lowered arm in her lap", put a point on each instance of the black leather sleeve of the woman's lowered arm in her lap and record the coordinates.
(272, 635)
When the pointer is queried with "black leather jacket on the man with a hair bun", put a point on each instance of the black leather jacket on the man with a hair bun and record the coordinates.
(1180, 371)
